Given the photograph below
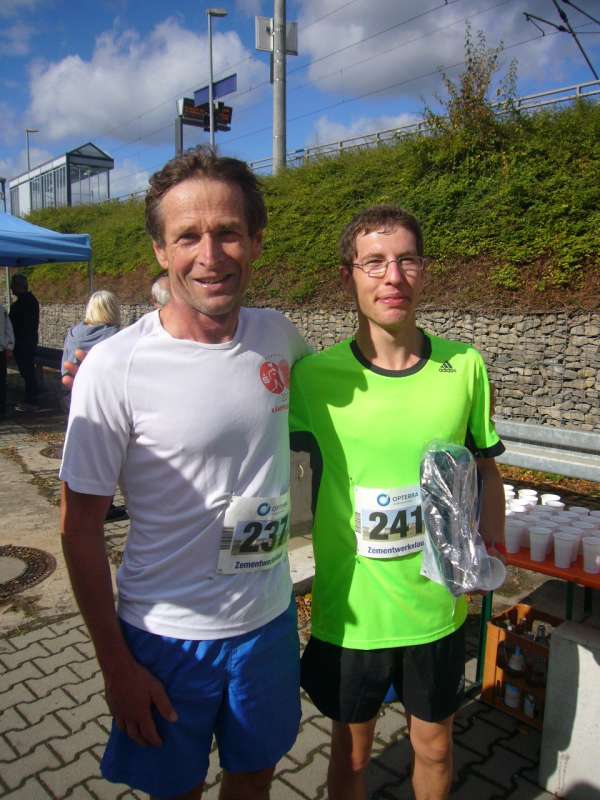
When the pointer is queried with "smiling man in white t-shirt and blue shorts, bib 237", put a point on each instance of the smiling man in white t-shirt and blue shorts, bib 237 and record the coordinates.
(188, 410)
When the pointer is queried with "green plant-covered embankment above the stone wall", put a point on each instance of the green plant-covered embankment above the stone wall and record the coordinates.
(509, 222)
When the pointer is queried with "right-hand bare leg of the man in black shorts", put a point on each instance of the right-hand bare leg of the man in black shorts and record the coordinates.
(432, 764)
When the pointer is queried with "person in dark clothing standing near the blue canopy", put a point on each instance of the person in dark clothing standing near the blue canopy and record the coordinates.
(25, 318)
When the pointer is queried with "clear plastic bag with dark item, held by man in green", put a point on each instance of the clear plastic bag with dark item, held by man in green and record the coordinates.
(454, 553)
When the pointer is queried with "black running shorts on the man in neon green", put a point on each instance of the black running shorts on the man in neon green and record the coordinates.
(350, 685)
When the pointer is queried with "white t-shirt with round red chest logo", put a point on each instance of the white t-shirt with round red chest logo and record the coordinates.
(185, 427)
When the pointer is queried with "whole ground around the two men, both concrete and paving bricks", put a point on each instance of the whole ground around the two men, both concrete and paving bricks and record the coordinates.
(54, 720)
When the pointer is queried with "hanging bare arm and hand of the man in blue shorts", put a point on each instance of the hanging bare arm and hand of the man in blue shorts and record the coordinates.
(131, 690)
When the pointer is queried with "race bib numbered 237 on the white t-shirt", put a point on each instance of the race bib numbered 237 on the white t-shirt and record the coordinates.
(255, 534)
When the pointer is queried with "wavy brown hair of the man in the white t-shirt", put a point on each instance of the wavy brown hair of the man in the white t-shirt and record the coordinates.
(203, 162)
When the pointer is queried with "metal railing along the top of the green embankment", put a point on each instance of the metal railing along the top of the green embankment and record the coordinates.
(527, 103)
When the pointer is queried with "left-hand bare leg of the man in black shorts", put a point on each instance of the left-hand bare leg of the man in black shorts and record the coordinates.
(350, 753)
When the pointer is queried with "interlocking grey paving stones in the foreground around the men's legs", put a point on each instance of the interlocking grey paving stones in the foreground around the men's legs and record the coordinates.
(54, 722)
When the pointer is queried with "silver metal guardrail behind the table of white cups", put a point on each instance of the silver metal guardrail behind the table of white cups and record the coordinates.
(563, 451)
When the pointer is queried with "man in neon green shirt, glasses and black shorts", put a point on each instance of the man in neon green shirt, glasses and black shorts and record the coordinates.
(366, 409)
